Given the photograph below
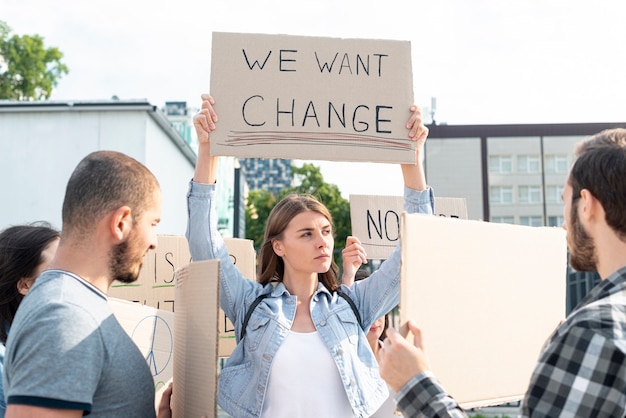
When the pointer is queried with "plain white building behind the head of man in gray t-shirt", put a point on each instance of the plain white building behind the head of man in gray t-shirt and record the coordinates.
(42, 142)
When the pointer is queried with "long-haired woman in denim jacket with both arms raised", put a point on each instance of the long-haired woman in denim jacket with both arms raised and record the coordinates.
(303, 351)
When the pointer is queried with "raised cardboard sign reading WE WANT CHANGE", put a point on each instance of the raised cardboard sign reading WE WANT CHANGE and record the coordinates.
(312, 98)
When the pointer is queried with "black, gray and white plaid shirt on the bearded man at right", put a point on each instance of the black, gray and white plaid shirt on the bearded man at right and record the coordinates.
(580, 373)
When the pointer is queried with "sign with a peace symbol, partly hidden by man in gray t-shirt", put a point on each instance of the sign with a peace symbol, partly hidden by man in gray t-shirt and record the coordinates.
(153, 331)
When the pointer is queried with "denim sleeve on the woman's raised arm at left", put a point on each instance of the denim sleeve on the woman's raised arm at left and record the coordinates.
(206, 243)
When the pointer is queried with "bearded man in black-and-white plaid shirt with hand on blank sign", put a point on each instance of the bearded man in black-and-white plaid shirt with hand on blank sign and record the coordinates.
(582, 369)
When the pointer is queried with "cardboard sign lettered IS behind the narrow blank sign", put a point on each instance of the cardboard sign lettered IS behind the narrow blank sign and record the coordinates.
(156, 282)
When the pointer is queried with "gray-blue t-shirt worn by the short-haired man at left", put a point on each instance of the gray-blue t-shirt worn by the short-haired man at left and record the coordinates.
(66, 350)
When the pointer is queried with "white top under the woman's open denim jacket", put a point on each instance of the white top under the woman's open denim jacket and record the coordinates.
(304, 381)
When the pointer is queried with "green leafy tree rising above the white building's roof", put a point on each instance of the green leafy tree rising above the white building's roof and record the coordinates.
(28, 70)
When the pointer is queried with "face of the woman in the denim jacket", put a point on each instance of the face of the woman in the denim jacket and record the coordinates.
(306, 245)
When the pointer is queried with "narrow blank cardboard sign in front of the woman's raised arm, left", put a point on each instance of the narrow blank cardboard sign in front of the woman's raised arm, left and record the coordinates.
(196, 340)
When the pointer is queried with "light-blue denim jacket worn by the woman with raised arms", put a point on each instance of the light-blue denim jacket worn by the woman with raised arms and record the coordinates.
(244, 379)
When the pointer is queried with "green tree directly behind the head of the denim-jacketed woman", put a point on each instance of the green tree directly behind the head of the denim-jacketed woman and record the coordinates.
(308, 179)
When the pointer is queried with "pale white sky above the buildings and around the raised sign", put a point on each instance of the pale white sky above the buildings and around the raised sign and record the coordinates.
(485, 61)
